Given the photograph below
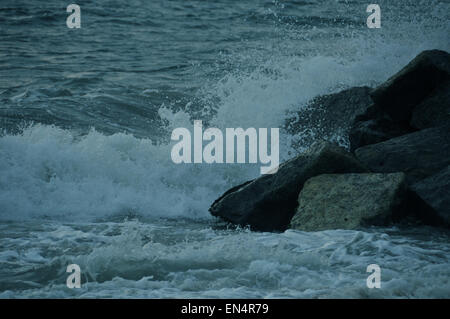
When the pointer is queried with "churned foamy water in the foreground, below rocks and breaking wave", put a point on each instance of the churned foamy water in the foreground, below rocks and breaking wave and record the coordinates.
(133, 259)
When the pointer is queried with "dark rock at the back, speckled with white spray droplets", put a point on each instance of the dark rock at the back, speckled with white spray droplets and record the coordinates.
(330, 116)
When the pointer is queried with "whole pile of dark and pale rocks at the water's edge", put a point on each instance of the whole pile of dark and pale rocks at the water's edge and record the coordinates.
(400, 136)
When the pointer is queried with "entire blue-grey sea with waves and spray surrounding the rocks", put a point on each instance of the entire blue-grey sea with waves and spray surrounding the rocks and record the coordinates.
(86, 175)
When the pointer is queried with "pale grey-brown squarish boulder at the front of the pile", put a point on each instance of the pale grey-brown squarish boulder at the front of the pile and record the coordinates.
(349, 201)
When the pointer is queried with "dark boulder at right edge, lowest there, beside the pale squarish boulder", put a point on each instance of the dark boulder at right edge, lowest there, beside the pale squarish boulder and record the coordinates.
(435, 191)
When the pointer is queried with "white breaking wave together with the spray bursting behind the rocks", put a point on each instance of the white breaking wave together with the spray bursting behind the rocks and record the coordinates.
(48, 171)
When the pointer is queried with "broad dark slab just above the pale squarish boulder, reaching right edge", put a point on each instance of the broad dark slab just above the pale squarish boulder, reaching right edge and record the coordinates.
(418, 155)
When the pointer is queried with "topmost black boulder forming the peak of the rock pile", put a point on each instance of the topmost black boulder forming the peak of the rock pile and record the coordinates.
(409, 87)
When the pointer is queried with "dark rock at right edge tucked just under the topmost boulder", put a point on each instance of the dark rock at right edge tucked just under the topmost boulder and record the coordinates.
(434, 110)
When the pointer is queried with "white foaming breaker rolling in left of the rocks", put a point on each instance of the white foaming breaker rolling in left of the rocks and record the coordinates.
(49, 172)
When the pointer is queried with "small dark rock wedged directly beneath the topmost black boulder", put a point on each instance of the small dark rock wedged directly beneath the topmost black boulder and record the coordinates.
(373, 127)
